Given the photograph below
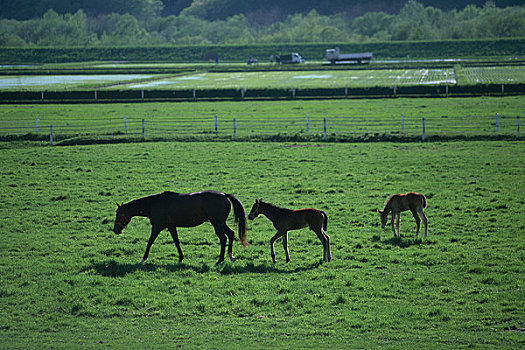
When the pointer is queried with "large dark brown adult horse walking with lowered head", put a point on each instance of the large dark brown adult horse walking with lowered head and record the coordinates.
(171, 210)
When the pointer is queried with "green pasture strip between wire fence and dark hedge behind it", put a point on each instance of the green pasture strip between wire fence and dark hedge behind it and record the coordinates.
(345, 118)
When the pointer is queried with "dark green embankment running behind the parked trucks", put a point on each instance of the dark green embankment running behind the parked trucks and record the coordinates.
(418, 49)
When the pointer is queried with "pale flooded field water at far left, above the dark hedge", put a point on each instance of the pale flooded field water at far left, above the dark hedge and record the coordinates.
(50, 81)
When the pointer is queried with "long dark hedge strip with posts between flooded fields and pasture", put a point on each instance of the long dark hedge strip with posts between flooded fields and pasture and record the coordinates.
(240, 94)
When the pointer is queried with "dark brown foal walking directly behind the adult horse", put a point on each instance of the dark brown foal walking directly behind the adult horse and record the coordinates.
(285, 220)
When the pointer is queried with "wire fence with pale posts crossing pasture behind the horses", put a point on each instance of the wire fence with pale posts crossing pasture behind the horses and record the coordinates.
(247, 127)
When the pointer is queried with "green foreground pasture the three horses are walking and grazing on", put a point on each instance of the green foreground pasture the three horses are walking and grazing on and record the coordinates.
(67, 281)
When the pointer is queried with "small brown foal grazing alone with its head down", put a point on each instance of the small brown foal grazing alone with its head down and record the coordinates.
(396, 203)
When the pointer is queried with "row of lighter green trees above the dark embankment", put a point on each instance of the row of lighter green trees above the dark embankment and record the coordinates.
(413, 22)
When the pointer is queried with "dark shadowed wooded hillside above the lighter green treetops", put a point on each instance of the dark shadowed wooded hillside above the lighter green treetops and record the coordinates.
(260, 11)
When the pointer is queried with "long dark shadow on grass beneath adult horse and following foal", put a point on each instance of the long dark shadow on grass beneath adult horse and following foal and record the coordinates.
(113, 268)
